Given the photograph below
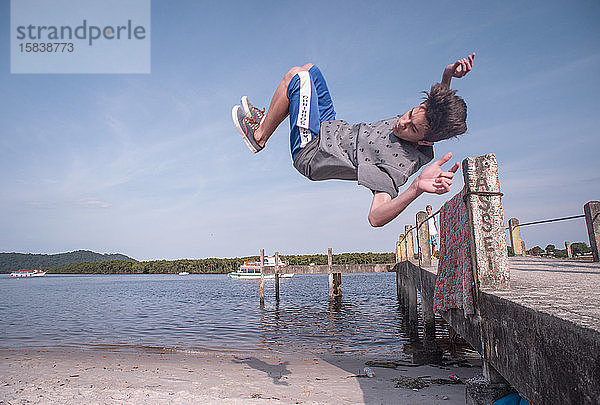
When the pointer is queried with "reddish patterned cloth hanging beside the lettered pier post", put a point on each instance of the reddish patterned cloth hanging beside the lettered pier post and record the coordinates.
(454, 282)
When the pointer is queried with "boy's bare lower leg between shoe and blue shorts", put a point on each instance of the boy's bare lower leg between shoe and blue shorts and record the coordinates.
(279, 107)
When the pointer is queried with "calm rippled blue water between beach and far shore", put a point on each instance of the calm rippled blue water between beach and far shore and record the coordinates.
(202, 312)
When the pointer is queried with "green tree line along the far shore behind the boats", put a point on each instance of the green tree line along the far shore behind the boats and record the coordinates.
(210, 265)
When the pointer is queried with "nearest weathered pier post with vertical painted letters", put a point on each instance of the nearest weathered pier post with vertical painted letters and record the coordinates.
(486, 220)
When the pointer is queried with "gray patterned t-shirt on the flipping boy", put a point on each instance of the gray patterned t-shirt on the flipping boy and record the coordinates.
(369, 153)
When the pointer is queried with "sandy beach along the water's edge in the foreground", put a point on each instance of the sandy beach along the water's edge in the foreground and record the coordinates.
(73, 376)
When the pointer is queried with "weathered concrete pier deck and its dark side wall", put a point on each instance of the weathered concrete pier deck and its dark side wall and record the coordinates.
(544, 330)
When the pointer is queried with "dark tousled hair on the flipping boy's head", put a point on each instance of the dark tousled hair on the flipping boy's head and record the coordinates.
(446, 113)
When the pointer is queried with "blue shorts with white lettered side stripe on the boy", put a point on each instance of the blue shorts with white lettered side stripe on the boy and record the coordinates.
(310, 104)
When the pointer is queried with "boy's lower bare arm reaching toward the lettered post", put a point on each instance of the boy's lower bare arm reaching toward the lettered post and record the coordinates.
(431, 180)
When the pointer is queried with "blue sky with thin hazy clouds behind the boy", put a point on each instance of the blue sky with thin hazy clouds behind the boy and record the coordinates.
(152, 167)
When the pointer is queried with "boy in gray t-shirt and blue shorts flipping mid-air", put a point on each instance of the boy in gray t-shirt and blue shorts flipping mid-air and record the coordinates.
(381, 155)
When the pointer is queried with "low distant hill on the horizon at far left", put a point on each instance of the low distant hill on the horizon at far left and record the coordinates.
(15, 261)
